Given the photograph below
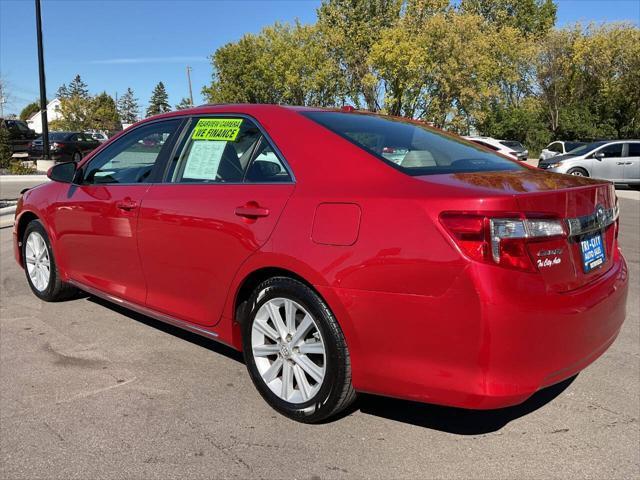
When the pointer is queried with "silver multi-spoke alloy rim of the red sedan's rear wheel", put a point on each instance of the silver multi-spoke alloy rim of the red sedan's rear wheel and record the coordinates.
(288, 350)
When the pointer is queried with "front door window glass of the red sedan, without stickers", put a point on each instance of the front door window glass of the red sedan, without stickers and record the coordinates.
(131, 158)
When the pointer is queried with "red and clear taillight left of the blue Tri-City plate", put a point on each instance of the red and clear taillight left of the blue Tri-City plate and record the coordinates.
(499, 240)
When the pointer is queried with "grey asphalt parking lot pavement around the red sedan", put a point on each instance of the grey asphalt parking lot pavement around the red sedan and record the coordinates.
(88, 390)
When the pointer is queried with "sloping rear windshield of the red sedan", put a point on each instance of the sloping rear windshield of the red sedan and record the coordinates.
(412, 149)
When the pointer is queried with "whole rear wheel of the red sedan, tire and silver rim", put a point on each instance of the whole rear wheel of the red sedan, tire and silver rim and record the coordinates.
(295, 351)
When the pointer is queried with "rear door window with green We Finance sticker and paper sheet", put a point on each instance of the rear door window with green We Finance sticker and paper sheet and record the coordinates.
(215, 150)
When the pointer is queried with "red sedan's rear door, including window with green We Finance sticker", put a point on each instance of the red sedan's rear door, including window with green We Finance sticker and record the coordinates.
(224, 190)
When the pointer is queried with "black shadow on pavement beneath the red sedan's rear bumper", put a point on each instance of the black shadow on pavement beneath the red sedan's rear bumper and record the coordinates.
(456, 420)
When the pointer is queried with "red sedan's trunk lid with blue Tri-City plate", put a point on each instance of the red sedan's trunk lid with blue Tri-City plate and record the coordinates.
(586, 207)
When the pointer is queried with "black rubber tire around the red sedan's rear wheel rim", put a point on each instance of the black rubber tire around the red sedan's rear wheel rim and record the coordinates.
(336, 391)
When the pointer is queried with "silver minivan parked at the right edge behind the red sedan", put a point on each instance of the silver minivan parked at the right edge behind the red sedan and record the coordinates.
(618, 161)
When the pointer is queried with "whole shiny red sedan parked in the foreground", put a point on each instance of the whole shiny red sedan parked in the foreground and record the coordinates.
(342, 252)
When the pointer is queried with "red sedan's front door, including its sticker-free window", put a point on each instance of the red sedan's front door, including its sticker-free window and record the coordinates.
(96, 219)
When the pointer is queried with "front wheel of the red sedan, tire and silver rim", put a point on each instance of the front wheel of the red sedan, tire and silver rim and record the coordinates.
(40, 266)
